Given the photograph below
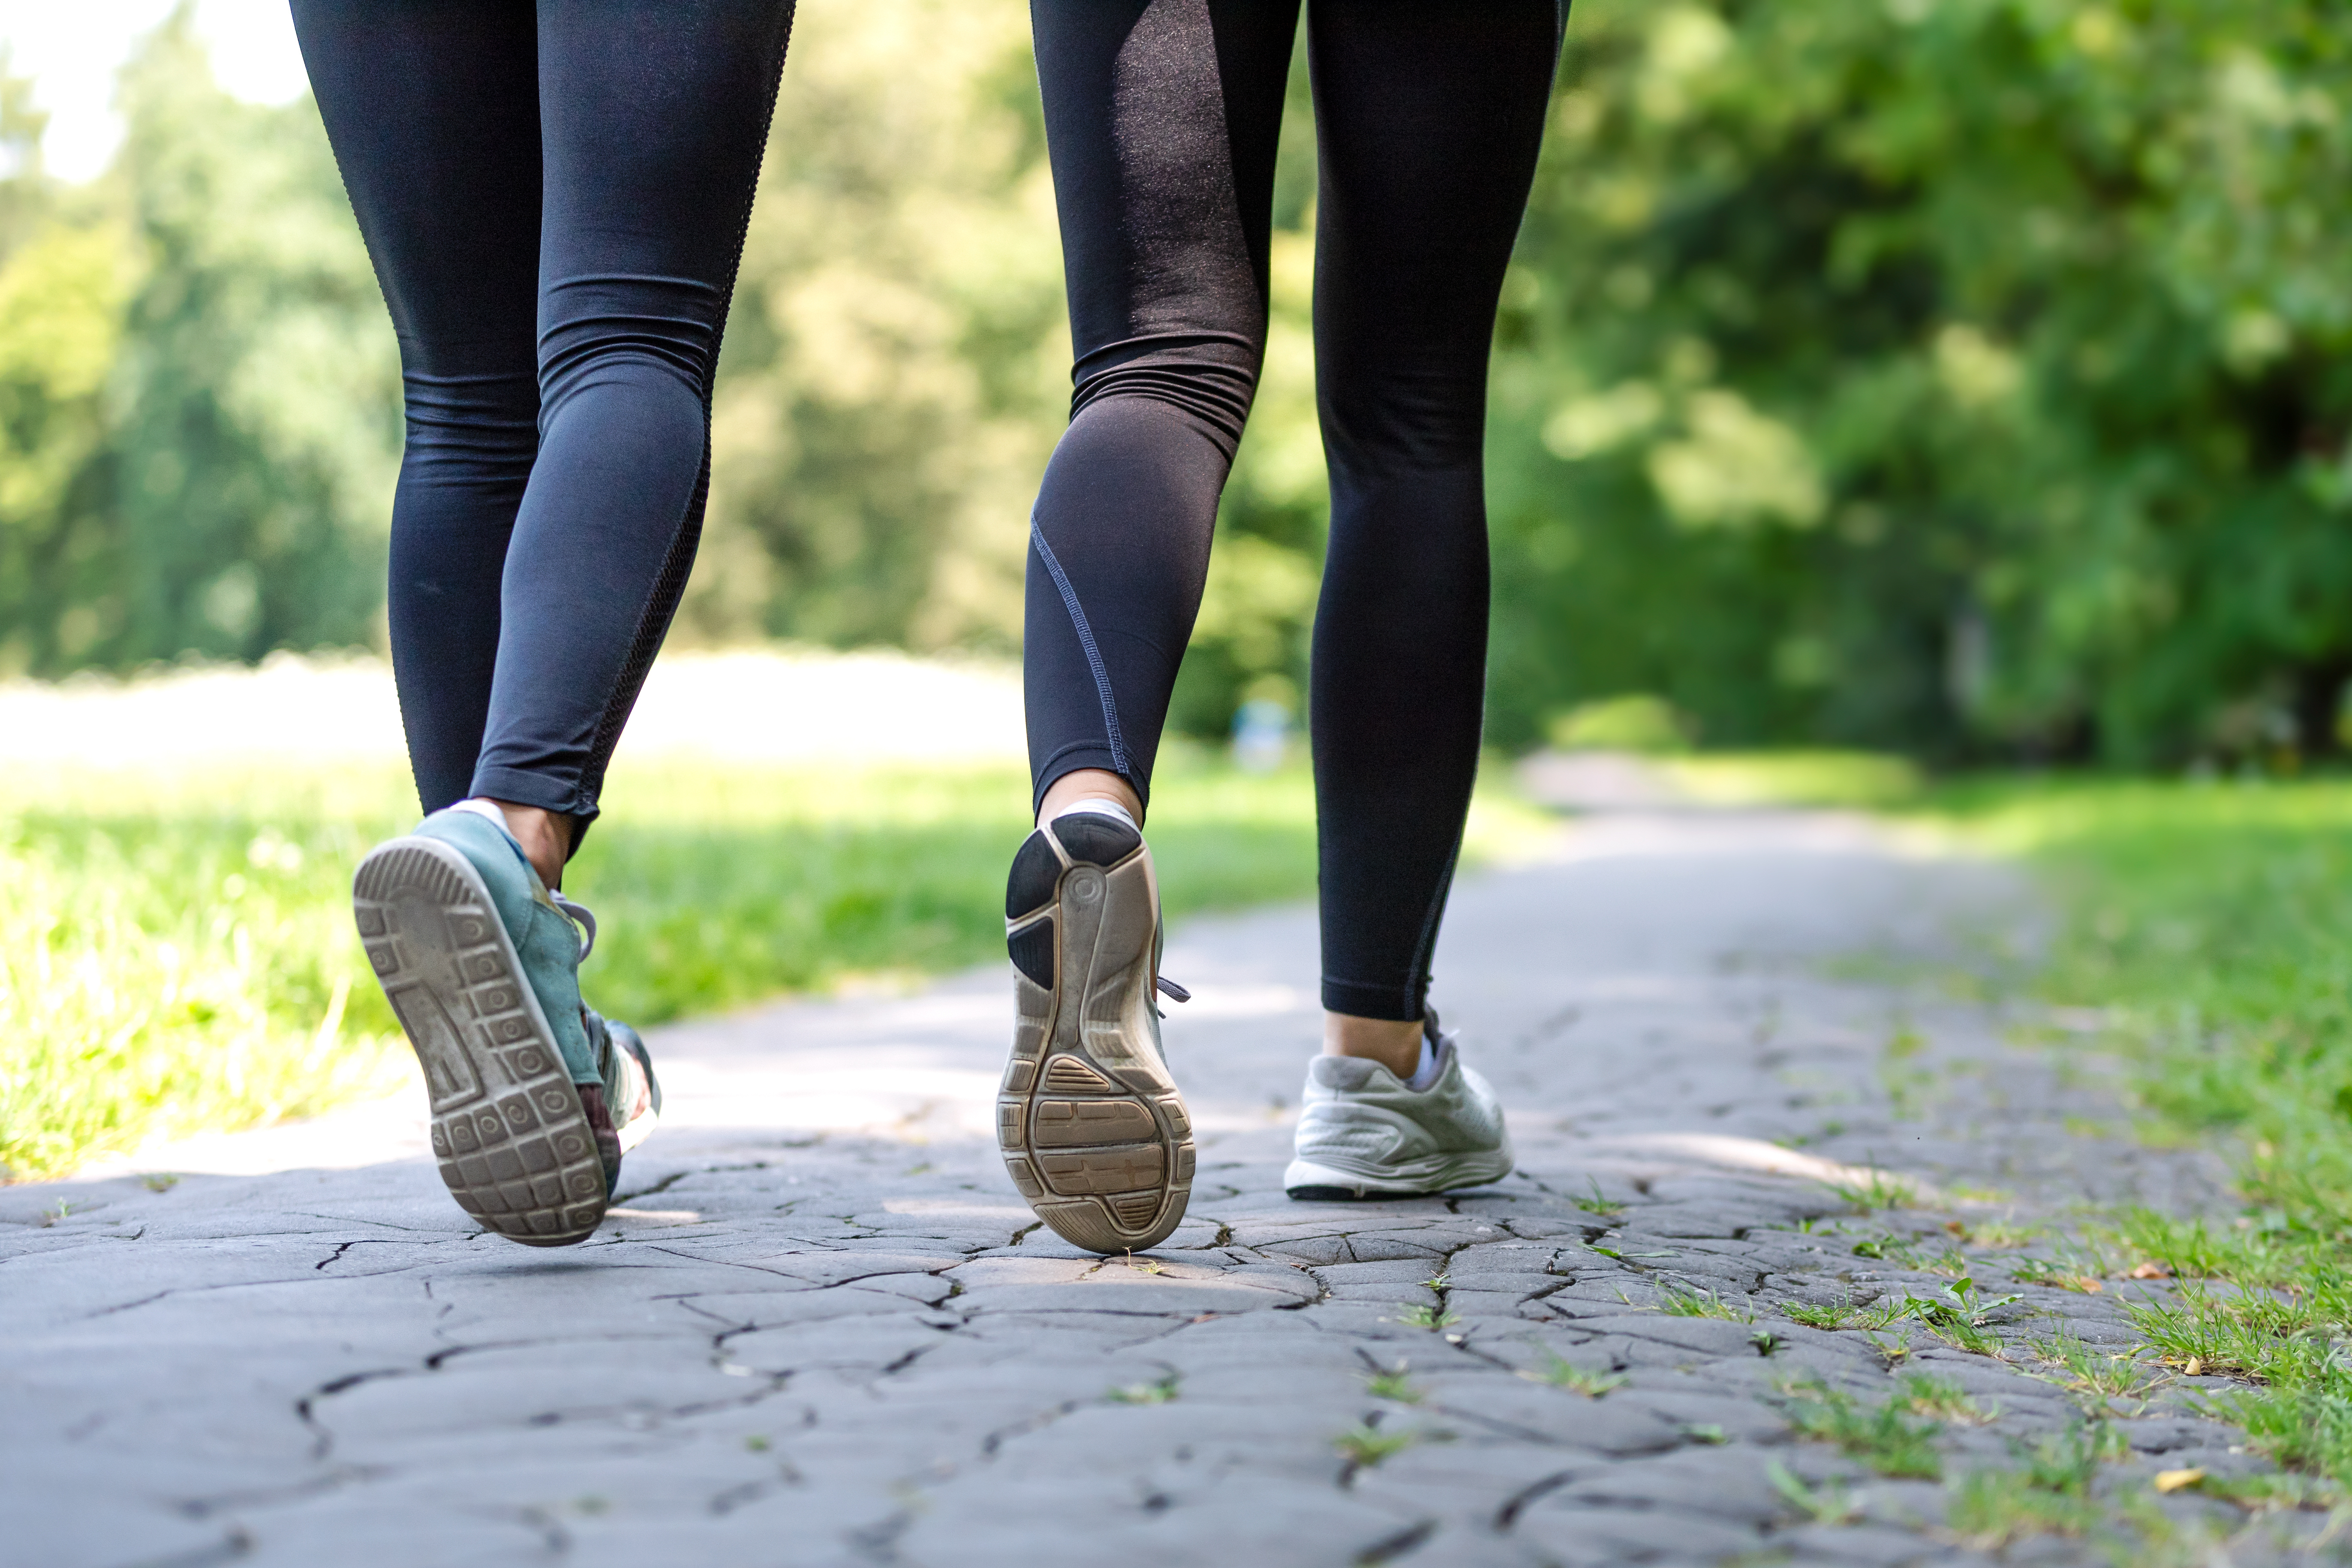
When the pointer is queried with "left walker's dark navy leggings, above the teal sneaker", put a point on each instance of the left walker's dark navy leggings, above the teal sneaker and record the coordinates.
(554, 194)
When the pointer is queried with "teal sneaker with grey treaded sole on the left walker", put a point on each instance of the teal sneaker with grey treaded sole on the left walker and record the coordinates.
(533, 1094)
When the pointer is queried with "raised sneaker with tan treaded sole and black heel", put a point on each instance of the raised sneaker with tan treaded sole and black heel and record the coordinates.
(1090, 1120)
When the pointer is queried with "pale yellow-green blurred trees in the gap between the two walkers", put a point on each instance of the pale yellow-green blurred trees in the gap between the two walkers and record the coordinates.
(897, 361)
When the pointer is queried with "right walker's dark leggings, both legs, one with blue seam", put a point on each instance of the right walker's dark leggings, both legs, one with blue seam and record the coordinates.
(1163, 119)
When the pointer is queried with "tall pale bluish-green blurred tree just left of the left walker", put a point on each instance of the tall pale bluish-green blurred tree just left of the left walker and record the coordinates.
(258, 396)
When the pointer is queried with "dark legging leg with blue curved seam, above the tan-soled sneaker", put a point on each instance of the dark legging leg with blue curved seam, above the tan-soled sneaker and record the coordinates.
(1161, 121)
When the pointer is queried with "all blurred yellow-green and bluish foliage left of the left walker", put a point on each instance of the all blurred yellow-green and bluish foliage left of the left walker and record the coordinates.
(199, 389)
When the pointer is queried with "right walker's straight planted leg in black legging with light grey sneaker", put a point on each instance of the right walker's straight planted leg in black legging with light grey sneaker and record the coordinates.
(1431, 116)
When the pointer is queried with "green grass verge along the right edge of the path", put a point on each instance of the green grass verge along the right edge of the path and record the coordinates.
(2210, 939)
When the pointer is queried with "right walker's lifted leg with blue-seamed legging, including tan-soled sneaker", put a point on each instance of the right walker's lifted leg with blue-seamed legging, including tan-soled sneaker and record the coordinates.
(1161, 121)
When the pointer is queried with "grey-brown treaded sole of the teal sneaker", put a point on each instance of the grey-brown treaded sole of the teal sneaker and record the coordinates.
(509, 1130)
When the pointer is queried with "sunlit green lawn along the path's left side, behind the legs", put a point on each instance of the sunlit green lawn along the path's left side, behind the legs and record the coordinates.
(178, 953)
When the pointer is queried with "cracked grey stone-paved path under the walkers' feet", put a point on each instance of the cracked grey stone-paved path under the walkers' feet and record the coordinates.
(822, 1329)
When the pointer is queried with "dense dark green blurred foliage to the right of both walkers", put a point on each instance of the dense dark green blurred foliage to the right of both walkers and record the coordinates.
(1946, 375)
